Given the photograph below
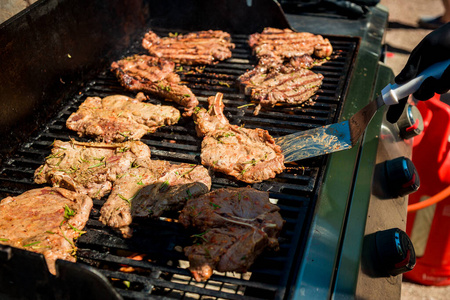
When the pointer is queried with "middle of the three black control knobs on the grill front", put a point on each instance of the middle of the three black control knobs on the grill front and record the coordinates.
(401, 176)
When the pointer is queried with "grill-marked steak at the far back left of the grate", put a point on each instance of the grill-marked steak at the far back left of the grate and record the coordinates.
(203, 47)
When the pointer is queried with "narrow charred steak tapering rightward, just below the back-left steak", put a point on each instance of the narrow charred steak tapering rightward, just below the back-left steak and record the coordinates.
(156, 76)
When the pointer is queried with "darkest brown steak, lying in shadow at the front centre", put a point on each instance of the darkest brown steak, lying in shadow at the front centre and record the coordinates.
(237, 224)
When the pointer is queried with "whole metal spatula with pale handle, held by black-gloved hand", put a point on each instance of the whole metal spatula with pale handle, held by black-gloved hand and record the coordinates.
(344, 135)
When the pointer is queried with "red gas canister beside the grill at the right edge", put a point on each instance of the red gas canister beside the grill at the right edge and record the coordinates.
(429, 228)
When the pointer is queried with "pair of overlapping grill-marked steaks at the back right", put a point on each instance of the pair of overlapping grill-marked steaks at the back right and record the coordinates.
(282, 74)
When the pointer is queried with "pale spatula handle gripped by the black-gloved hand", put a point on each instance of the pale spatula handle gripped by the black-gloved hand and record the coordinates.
(393, 92)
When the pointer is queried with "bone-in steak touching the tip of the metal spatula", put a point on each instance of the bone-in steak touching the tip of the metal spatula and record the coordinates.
(250, 155)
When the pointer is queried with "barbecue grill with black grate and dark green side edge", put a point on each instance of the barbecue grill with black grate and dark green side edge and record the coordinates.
(57, 53)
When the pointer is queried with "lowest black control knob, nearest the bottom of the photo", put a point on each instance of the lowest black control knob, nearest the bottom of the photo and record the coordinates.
(395, 252)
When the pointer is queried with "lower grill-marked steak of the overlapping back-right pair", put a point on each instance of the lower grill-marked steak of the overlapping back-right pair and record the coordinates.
(286, 83)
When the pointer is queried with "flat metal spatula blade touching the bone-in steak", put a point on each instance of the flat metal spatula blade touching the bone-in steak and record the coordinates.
(315, 142)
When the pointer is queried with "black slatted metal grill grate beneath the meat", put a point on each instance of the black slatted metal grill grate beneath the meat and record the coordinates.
(163, 270)
